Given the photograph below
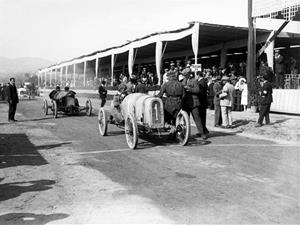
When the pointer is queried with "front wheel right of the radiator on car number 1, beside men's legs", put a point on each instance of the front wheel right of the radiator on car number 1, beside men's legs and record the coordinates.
(183, 128)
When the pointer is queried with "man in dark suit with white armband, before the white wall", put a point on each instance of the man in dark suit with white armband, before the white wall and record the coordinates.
(266, 100)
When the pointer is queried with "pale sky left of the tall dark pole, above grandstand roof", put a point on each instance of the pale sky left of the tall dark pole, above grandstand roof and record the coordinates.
(59, 30)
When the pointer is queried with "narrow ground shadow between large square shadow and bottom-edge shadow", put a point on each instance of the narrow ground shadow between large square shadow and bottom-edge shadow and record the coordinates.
(13, 190)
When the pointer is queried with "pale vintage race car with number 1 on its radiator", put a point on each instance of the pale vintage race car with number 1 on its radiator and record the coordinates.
(144, 114)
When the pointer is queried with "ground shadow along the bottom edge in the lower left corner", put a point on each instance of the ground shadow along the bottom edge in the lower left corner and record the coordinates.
(29, 218)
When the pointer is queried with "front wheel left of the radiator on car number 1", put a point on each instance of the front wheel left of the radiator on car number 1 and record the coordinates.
(131, 131)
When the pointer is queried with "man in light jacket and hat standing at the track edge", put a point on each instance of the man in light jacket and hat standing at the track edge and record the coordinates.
(226, 102)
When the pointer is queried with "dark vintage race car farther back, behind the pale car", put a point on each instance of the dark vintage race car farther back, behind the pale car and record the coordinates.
(65, 102)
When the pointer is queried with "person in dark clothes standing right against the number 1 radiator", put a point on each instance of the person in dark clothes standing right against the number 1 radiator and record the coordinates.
(174, 91)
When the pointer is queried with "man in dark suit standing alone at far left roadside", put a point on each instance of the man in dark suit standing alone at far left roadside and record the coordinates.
(12, 99)
